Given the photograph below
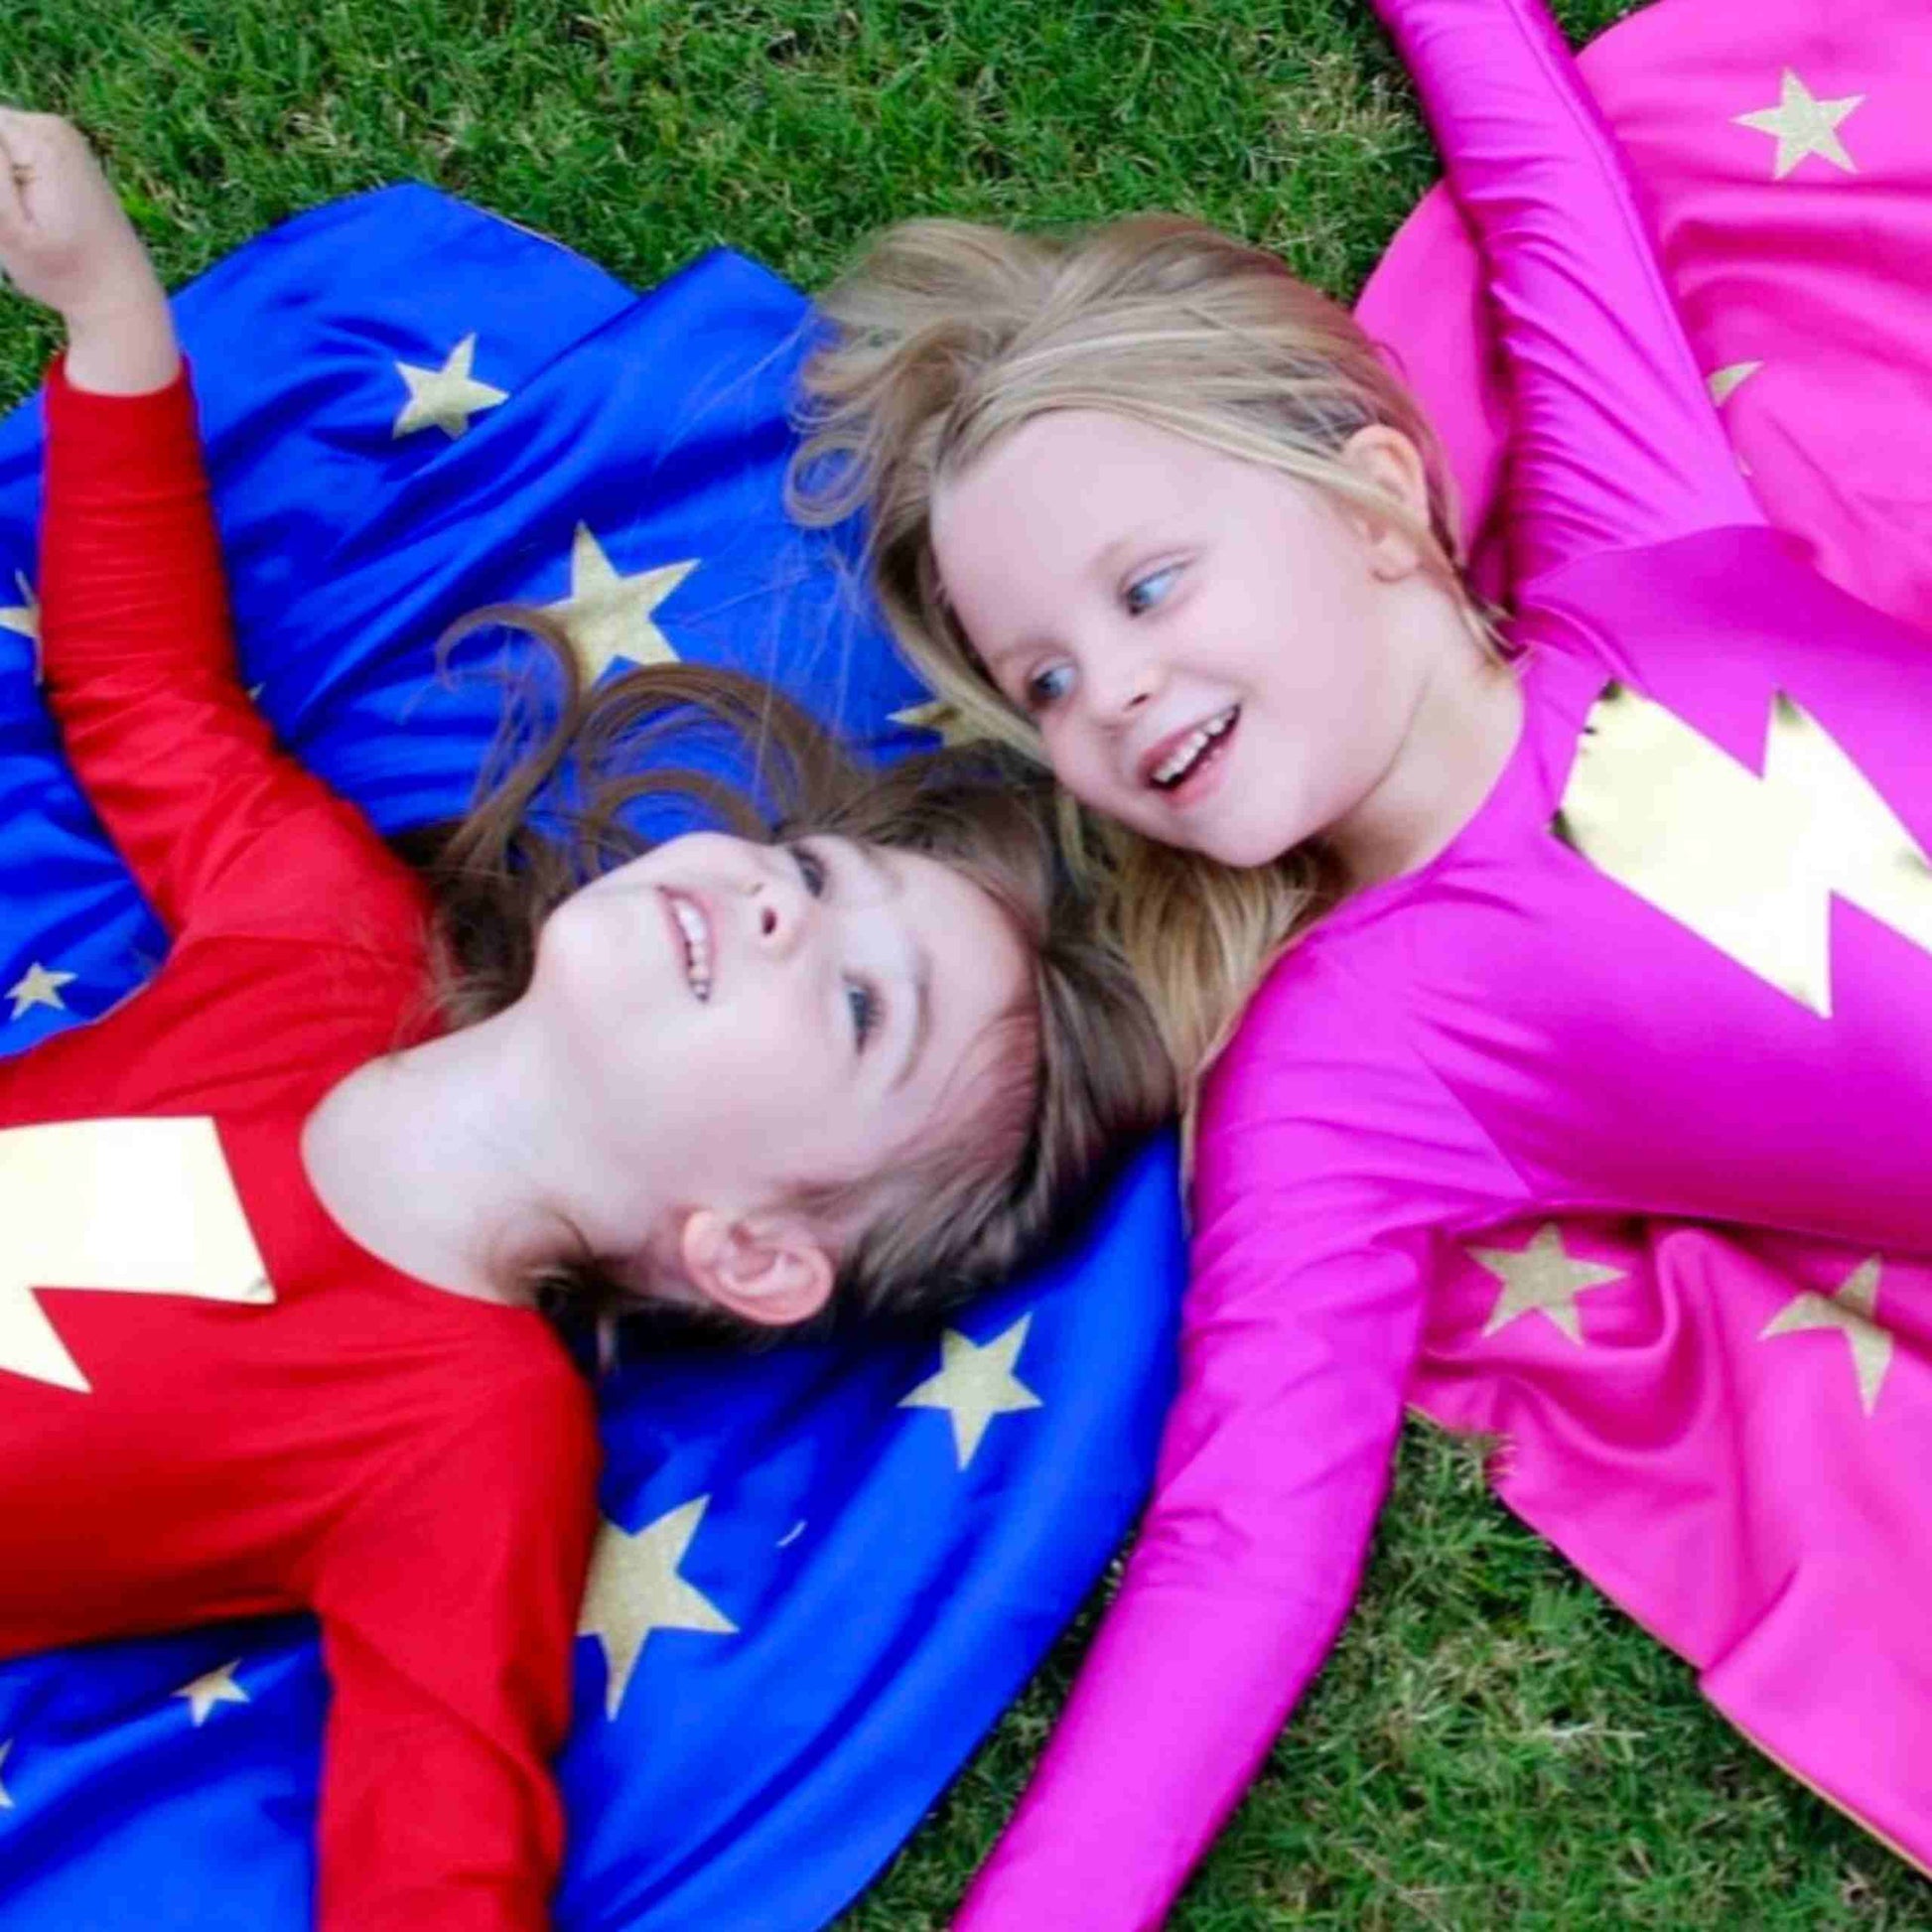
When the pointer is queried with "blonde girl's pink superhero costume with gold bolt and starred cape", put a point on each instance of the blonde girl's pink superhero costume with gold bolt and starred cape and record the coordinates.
(1608, 1129)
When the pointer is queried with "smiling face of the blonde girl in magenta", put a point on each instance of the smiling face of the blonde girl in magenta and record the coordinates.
(1205, 644)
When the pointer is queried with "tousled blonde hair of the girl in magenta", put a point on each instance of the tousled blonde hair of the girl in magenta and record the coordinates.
(948, 337)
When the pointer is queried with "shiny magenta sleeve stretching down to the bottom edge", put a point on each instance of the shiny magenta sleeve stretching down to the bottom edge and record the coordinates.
(1328, 1158)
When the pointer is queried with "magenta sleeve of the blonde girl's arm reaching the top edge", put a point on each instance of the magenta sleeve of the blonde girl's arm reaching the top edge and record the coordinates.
(1614, 438)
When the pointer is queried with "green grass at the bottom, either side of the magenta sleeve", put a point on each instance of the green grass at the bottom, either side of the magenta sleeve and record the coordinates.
(1491, 1747)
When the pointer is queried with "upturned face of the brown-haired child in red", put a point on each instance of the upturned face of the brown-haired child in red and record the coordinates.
(739, 1019)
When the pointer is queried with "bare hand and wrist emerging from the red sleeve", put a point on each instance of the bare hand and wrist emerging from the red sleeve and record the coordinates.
(67, 242)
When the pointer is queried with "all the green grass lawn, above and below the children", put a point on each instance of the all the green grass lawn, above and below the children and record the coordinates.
(1492, 1747)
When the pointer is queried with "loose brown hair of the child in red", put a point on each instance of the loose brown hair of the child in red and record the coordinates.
(1073, 1073)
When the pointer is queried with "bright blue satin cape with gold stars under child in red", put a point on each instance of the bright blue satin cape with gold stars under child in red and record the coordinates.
(886, 1597)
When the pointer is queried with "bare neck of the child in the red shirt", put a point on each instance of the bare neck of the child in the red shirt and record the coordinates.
(455, 1160)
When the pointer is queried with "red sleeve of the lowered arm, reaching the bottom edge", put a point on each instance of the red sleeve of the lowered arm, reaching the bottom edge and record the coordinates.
(449, 1603)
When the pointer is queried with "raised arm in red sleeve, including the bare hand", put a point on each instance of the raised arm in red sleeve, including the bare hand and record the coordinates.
(134, 621)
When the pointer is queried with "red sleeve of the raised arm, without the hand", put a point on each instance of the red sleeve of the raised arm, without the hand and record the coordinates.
(215, 824)
